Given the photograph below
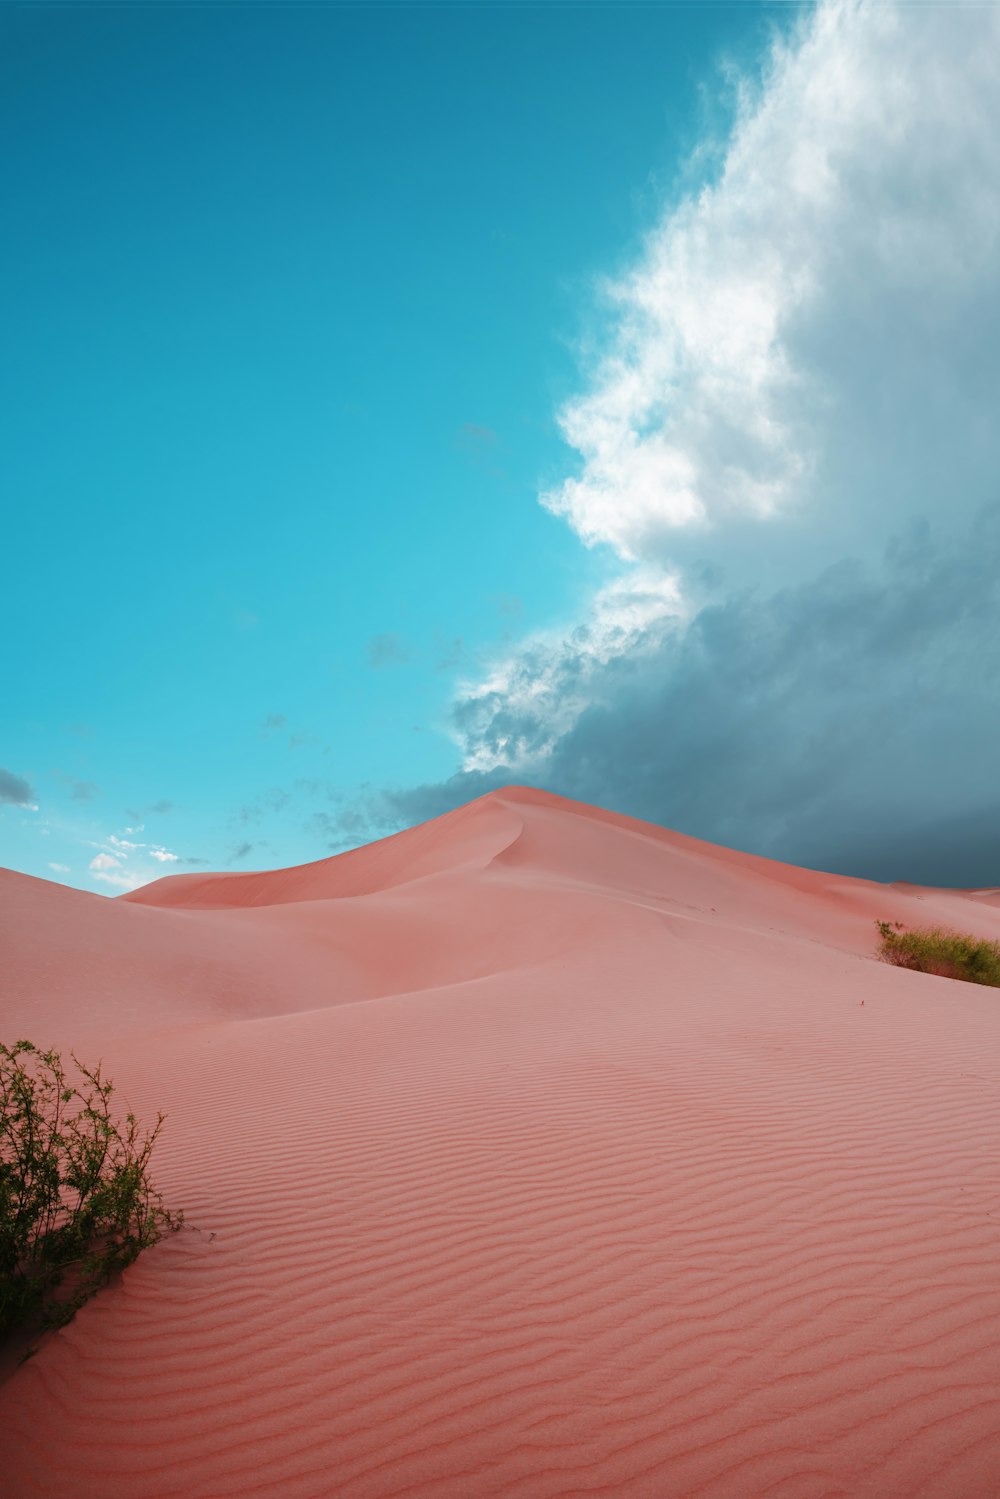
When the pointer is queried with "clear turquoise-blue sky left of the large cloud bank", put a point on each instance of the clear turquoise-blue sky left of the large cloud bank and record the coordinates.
(290, 307)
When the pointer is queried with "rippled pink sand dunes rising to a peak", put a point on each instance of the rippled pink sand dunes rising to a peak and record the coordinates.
(531, 1153)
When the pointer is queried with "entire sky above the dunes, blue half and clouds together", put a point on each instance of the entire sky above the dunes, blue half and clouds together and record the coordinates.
(407, 401)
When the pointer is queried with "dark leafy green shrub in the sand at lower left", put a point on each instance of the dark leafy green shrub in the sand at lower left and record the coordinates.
(76, 1200)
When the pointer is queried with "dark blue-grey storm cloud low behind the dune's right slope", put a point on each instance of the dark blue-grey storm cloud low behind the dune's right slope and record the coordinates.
(848, 725)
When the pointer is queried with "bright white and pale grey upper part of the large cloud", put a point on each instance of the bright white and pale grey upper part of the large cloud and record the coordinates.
(801, 362)
